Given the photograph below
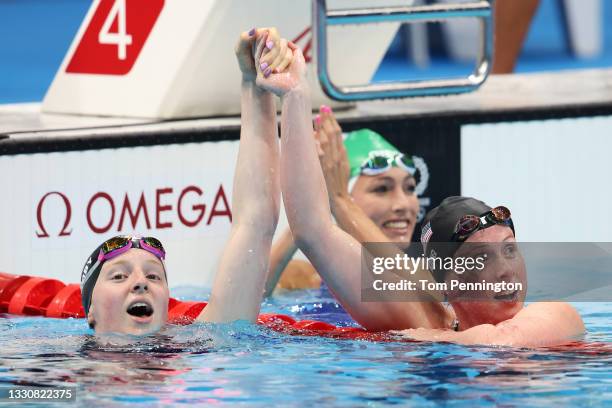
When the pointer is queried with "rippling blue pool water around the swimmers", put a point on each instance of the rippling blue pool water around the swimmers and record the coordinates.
(244, 364)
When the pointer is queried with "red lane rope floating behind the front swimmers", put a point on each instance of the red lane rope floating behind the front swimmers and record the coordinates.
(35, 296)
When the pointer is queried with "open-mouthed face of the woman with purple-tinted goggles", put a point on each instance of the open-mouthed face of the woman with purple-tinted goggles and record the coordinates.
(131, 295)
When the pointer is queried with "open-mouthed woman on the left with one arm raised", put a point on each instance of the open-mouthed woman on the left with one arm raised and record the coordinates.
(124, 281)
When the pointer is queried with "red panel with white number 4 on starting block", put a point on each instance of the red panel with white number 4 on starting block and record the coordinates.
(114, 37)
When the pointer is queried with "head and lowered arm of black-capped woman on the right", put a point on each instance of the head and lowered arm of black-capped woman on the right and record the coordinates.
(493, 318)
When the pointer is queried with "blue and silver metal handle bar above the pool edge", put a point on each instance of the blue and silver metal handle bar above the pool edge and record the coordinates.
(483, 10)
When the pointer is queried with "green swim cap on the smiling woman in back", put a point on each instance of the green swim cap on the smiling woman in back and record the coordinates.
(360, 143)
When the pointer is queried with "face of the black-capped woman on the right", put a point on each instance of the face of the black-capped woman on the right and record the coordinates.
(503, 262)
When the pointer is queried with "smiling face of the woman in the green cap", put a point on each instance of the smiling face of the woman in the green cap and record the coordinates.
(389, 200)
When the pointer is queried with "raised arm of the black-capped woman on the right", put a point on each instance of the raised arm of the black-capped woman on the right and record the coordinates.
(333, 252)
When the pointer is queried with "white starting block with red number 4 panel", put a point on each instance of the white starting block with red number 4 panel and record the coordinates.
(175, 59)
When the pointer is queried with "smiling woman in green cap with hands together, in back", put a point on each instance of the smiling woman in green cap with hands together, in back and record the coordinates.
(371, 188)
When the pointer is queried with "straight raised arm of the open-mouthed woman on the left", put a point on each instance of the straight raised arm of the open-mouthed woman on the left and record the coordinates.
(239, 283)
